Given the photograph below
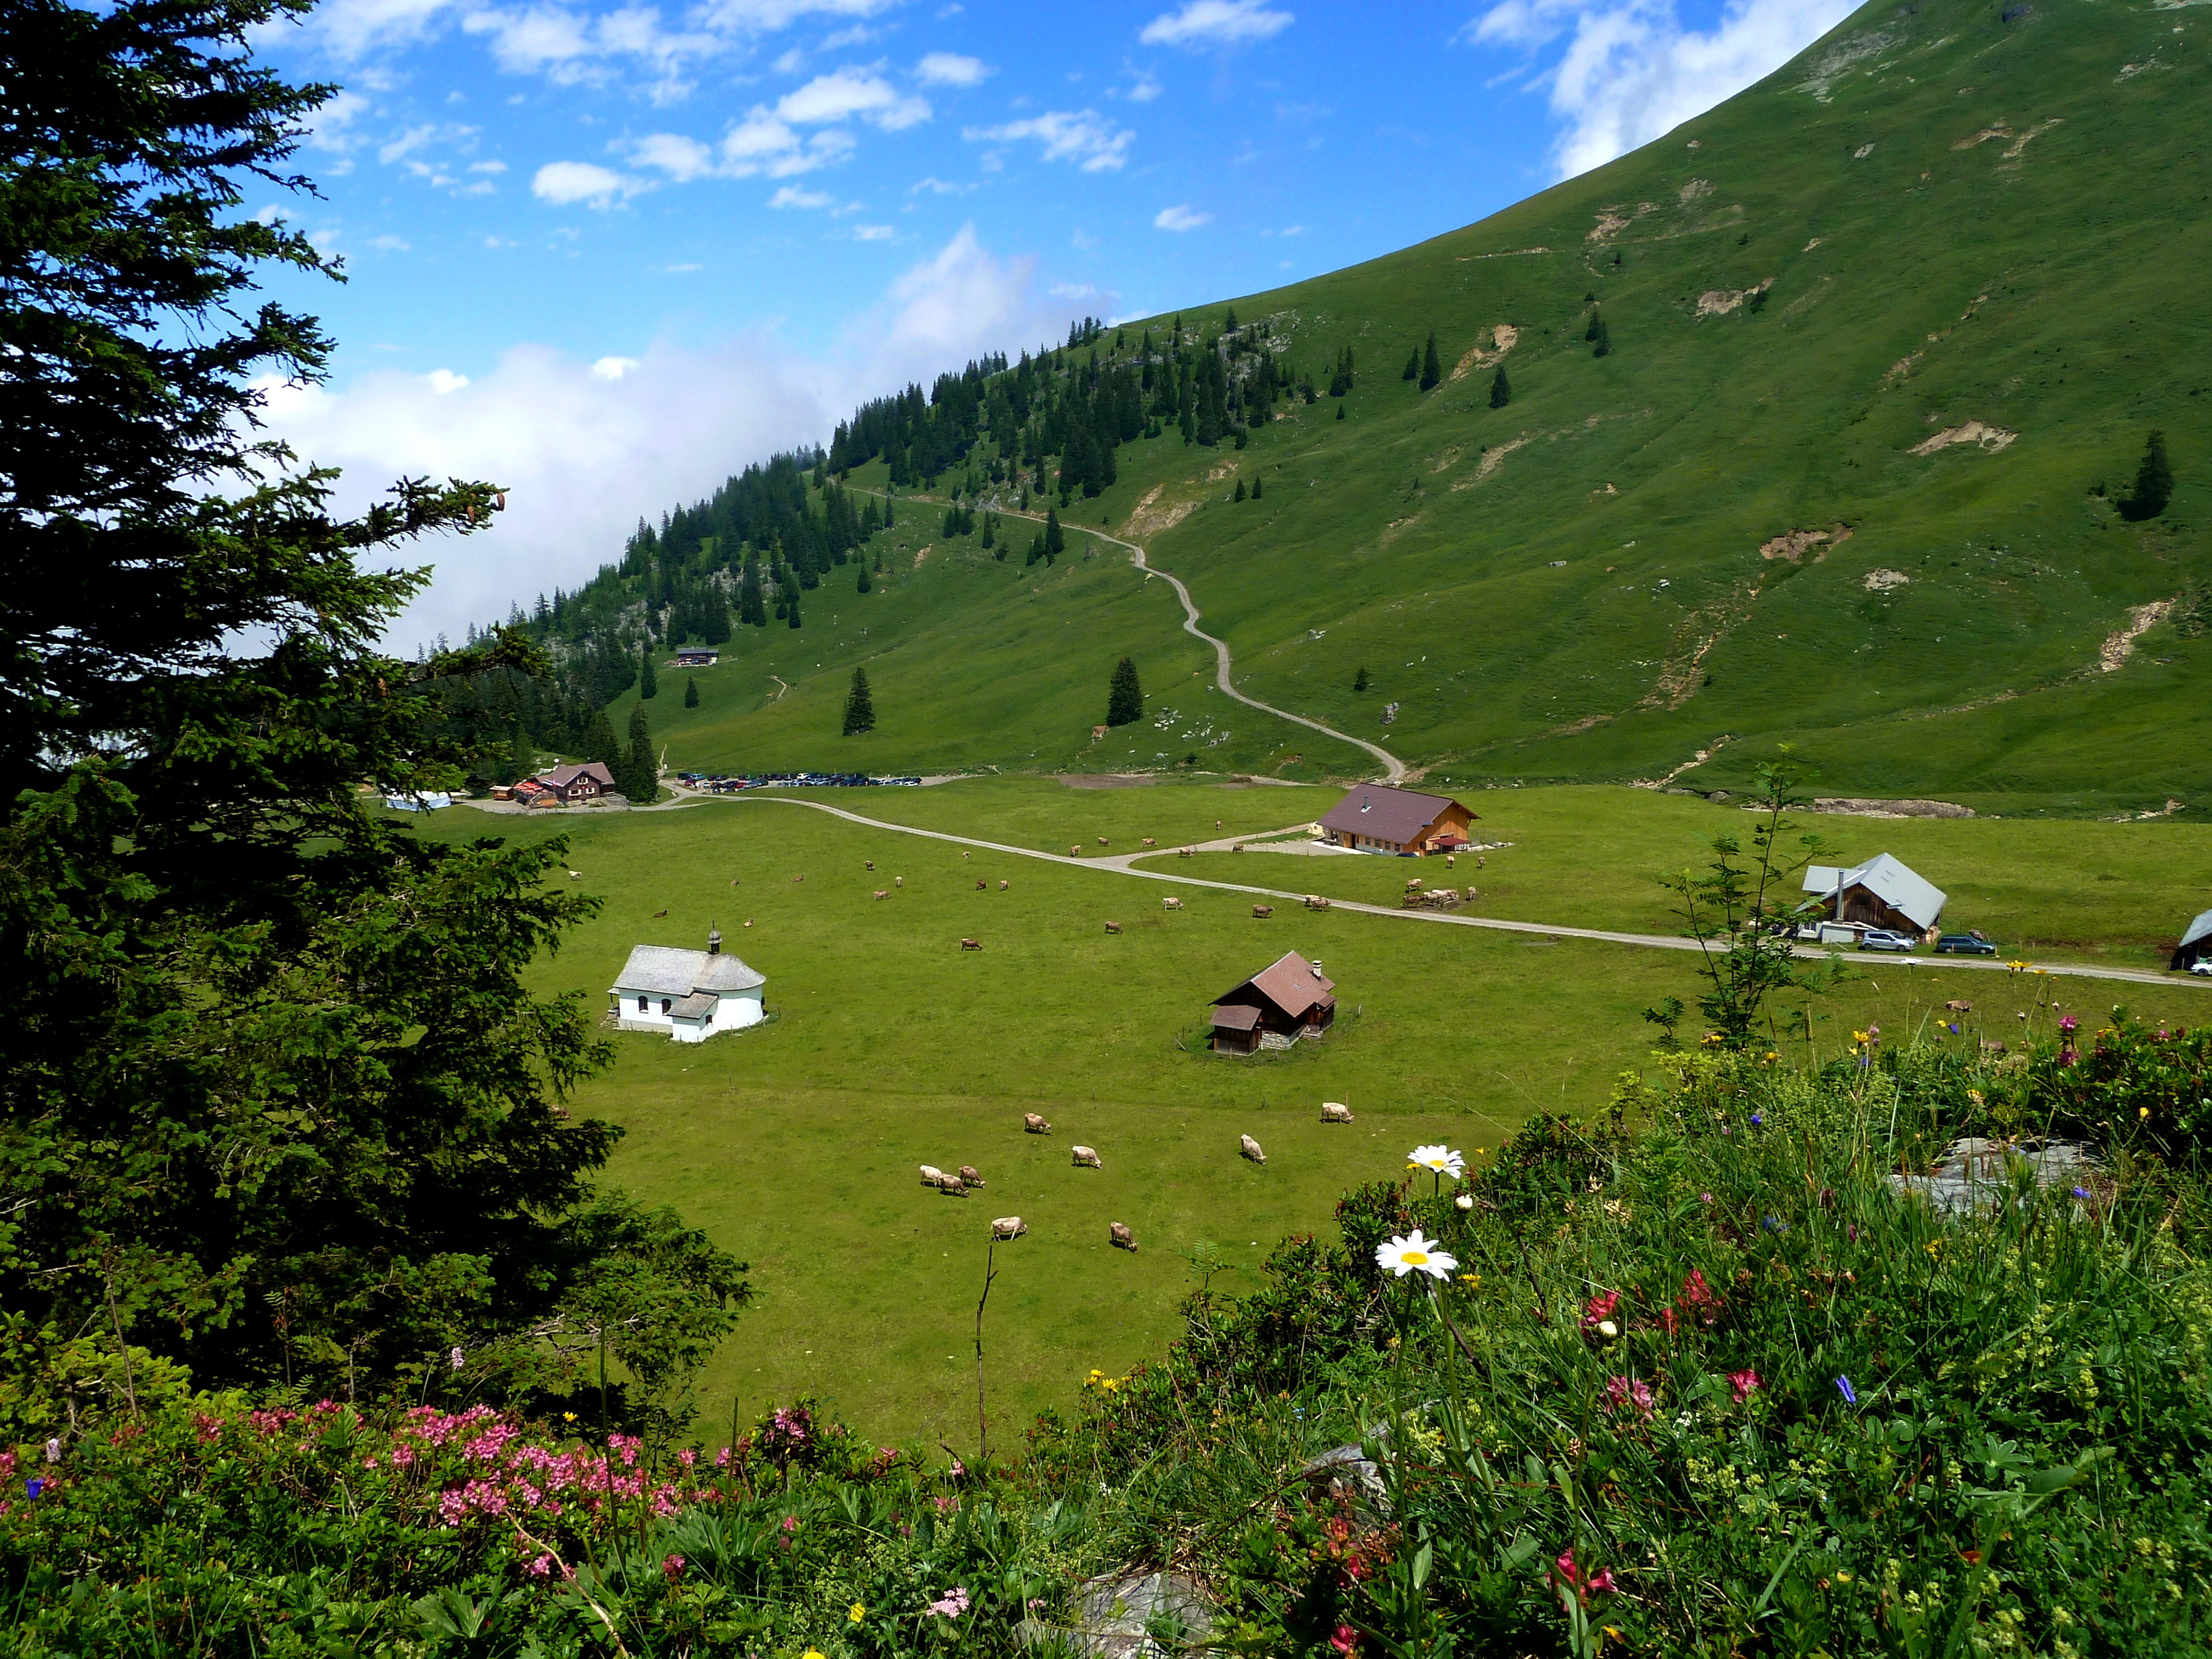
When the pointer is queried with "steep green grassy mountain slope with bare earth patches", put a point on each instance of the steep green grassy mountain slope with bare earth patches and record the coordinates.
(1923, 295)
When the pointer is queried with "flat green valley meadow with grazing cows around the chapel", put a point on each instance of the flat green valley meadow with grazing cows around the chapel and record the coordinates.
(797, 1142)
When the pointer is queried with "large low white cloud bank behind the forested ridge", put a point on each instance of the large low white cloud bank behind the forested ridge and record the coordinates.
(585, 450)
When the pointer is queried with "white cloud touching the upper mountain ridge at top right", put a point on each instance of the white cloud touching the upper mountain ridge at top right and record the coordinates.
(1631, 72)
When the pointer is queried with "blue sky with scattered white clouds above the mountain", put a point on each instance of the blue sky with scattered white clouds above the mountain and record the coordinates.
(607, 253)
